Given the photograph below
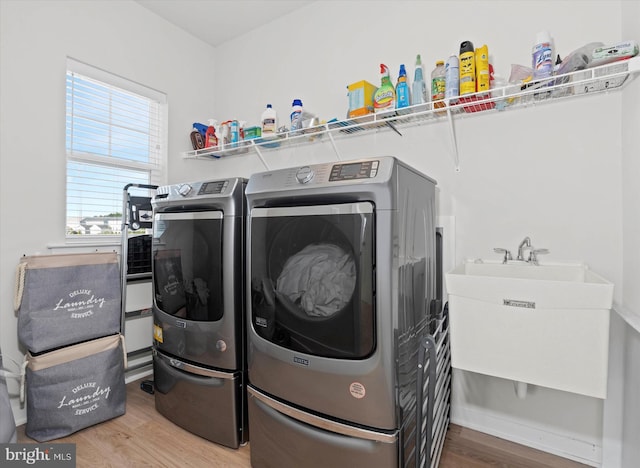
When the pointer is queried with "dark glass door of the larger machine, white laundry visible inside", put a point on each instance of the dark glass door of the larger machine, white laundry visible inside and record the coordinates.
(312, 277)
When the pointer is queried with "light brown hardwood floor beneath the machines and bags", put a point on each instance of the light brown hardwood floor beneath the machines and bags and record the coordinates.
(144, 438)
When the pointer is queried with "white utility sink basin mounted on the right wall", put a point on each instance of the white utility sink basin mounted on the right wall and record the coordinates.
(546, 325)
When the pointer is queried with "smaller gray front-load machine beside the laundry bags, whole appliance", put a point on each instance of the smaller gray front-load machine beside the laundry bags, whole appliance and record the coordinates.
(199, 327)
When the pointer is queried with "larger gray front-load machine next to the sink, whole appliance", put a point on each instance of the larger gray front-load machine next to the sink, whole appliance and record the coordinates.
(341, 285)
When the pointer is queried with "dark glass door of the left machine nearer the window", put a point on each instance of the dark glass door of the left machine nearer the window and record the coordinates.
(187, 264)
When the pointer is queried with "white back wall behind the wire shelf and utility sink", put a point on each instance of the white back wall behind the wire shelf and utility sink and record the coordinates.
(552, 172)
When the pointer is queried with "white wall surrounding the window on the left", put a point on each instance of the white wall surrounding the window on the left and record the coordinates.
(35, 39)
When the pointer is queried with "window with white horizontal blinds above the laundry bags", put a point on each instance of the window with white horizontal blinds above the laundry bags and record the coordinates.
(115, 133)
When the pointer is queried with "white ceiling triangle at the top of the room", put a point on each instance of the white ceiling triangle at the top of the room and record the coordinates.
(219, 21)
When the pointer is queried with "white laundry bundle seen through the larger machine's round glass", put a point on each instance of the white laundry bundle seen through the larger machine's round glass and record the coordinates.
(322, 277)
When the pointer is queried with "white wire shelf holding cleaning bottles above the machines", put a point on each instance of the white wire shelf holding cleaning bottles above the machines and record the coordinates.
(571, 85)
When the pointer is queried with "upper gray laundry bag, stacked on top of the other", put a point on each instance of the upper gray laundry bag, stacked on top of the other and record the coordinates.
(66, 299)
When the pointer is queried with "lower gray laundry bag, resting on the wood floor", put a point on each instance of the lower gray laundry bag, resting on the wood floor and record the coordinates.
(75, 387)
